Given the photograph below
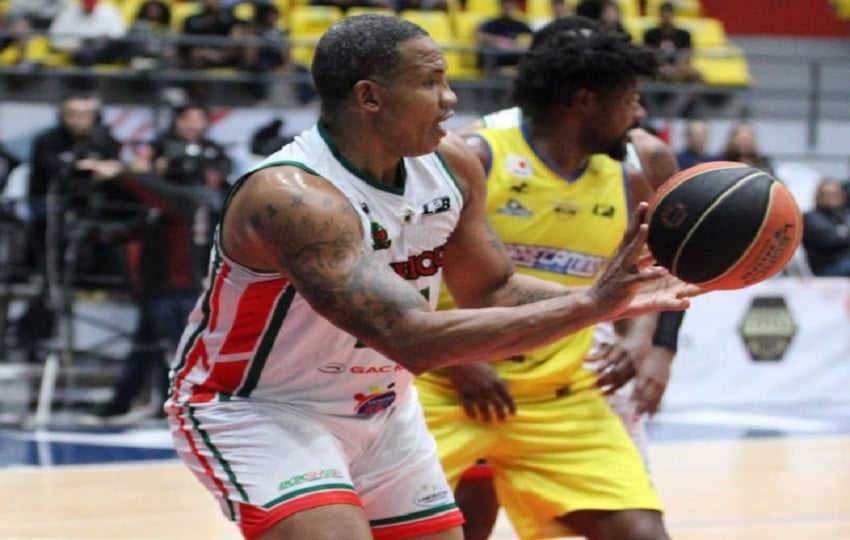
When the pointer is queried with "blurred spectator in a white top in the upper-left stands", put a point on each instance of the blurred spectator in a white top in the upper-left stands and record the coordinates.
(89, 31)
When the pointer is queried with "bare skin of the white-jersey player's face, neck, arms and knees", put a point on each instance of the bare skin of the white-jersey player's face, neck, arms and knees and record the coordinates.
(286, 220)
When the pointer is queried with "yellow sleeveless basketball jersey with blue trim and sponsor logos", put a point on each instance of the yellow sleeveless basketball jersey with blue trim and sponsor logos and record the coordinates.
(555, 228)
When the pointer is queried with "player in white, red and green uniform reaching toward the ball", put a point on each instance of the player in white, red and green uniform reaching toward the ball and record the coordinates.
(291, 393)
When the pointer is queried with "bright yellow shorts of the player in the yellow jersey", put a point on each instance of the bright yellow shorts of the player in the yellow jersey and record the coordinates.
(555, 456)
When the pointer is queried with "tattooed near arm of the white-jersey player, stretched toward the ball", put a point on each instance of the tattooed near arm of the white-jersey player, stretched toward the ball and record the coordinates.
(285, 220)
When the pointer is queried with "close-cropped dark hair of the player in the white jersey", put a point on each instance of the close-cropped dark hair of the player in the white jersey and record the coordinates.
(357, 48)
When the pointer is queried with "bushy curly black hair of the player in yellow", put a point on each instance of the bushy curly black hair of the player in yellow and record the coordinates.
(552, 73)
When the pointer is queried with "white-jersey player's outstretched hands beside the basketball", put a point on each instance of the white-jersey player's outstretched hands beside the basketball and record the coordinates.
(632, 285)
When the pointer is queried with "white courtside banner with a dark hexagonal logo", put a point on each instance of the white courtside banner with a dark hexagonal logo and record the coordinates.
(783, 341)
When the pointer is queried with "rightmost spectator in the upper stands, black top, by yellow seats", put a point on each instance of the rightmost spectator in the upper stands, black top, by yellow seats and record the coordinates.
(674, 45)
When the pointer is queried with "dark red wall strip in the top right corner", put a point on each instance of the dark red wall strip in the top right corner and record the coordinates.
(809, 18)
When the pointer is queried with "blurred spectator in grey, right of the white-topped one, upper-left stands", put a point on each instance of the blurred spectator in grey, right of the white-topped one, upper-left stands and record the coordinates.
(149, 46)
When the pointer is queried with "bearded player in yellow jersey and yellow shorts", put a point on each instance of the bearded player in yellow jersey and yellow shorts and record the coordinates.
(562, 460)
